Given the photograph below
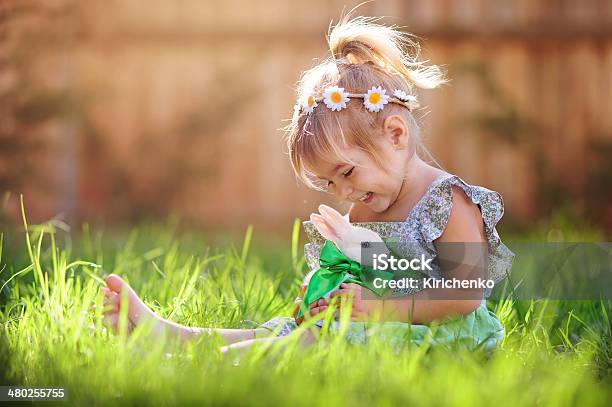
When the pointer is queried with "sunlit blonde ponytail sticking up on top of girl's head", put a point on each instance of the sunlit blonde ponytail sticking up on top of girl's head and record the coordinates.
(361, 40)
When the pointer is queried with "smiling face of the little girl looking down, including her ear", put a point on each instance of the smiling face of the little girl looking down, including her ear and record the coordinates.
(359, 179)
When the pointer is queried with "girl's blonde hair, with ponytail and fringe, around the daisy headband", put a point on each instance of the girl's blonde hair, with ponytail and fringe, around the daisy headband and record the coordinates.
(364, 54)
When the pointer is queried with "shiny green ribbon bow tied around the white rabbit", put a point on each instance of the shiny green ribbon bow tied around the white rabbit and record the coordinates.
(334, 267)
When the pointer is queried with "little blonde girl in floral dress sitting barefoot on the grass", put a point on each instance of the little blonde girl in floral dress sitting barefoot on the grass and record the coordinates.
(353, 134)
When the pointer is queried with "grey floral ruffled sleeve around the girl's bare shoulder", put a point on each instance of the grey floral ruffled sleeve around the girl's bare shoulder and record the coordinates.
(431, 214)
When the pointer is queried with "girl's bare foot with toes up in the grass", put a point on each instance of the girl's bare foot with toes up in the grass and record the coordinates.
(138, 311)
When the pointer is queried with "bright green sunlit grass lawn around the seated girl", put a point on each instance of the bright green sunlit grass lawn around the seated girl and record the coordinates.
(555, 353)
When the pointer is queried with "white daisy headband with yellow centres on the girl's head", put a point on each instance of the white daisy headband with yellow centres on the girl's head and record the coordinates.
(375, 99)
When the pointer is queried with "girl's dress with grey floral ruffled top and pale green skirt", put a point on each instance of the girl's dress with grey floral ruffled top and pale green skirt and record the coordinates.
(425, 223)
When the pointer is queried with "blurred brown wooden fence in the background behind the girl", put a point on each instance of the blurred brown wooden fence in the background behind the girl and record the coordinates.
(176, 106)
